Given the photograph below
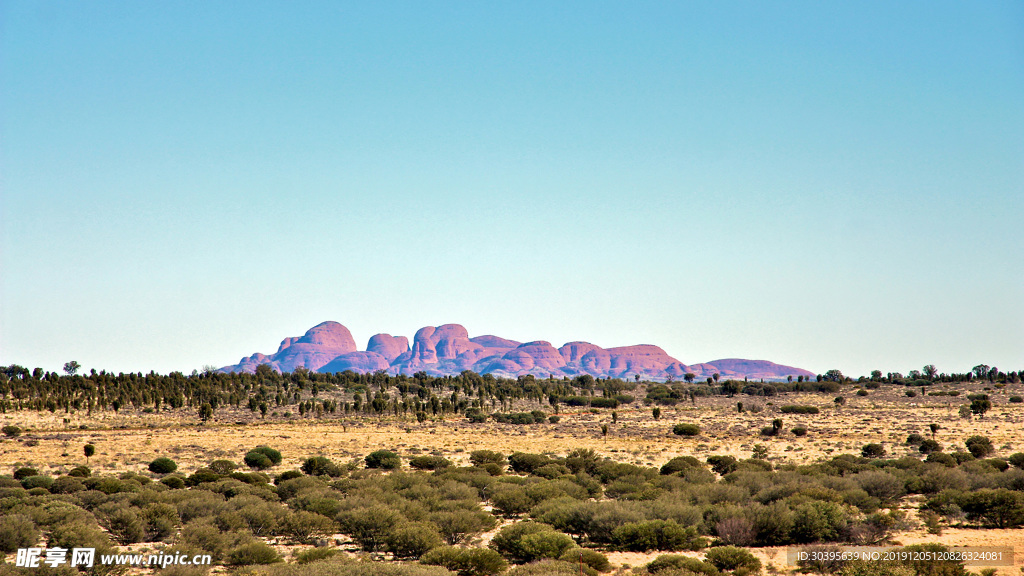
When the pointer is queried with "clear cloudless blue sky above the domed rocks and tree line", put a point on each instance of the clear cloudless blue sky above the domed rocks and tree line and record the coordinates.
(825, 185)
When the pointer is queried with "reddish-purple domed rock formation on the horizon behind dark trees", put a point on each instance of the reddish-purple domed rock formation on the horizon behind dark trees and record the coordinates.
(449, 350)
